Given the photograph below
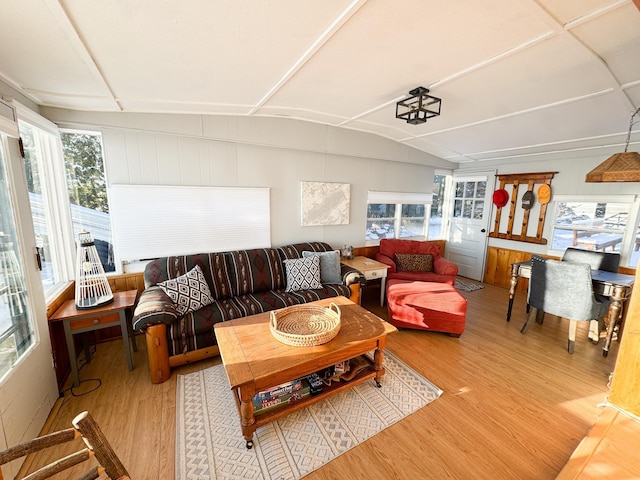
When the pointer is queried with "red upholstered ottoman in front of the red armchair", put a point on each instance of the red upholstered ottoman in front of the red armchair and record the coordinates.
(426, 306)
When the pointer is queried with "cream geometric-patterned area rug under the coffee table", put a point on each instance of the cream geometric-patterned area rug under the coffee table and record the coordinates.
(210, 445)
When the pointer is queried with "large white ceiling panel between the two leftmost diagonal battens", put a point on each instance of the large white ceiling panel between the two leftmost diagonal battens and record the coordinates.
(200, 51)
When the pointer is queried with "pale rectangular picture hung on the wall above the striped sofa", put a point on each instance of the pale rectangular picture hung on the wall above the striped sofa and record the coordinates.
(325, 203)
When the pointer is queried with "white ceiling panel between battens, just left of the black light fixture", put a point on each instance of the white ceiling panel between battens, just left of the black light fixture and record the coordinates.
(386, 46)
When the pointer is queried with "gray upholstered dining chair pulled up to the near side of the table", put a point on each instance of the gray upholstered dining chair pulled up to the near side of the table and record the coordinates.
(564, 289)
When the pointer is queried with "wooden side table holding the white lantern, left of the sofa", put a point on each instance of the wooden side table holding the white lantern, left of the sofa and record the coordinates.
(86, 320)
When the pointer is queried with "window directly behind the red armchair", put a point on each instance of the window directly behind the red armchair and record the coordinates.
(397, 215)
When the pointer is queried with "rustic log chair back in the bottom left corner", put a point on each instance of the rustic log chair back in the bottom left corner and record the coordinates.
(96, 445)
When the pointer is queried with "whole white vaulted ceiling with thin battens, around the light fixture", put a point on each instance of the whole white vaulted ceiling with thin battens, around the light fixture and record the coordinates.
(516, 77)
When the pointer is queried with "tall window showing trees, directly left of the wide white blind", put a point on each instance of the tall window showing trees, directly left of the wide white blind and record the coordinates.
(87, 187)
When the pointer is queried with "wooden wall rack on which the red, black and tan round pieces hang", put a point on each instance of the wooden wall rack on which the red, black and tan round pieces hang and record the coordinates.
(512, 184)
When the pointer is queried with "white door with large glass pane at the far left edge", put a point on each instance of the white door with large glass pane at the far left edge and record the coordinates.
(28, 386)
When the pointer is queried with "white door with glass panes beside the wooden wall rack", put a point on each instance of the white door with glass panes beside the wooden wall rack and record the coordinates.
(469, 227)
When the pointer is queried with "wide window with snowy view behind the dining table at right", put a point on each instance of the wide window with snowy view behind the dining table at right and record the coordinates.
(602, 225)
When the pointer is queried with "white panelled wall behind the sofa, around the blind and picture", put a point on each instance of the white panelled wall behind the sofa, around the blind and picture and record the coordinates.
(258, 152)
